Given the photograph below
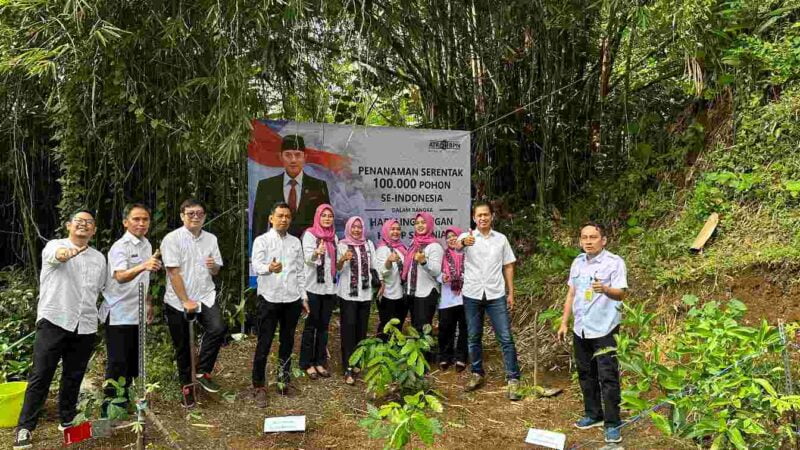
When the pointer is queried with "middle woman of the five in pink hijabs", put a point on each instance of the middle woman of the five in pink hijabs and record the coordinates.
(389, 258)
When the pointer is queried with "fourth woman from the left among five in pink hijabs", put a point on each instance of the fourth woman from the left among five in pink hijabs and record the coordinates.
(424, 265)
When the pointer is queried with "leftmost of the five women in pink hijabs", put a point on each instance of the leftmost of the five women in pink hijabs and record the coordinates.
(319, 252)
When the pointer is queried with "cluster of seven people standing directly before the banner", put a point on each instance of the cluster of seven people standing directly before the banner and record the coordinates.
(318, 272)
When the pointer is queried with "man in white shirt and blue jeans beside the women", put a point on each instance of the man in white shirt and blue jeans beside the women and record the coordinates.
(489, 289)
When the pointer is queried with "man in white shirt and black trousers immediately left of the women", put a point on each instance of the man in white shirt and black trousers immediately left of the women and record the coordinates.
(278, 261)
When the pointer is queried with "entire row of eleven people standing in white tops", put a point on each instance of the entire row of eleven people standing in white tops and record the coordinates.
(472, 276)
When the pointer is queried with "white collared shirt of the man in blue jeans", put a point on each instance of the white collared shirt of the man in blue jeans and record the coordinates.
(483, 265)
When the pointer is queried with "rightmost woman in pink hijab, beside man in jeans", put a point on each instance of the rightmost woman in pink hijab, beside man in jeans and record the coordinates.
(451, 307)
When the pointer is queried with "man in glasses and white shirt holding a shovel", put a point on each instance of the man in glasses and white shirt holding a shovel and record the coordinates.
(192, 257)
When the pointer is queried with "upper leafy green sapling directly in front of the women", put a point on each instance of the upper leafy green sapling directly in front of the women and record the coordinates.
(397, 365)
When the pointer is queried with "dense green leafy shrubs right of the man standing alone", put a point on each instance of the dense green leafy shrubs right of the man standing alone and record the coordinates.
(717, 376)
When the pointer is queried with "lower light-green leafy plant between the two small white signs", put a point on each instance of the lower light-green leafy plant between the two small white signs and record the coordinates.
(397, 424)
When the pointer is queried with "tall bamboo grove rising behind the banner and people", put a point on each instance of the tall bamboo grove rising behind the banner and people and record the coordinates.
(105, 102)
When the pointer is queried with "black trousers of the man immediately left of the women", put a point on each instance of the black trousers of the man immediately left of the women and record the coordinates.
(270, 317)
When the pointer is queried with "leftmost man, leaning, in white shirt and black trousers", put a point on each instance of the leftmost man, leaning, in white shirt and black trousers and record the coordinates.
(66, 322)
